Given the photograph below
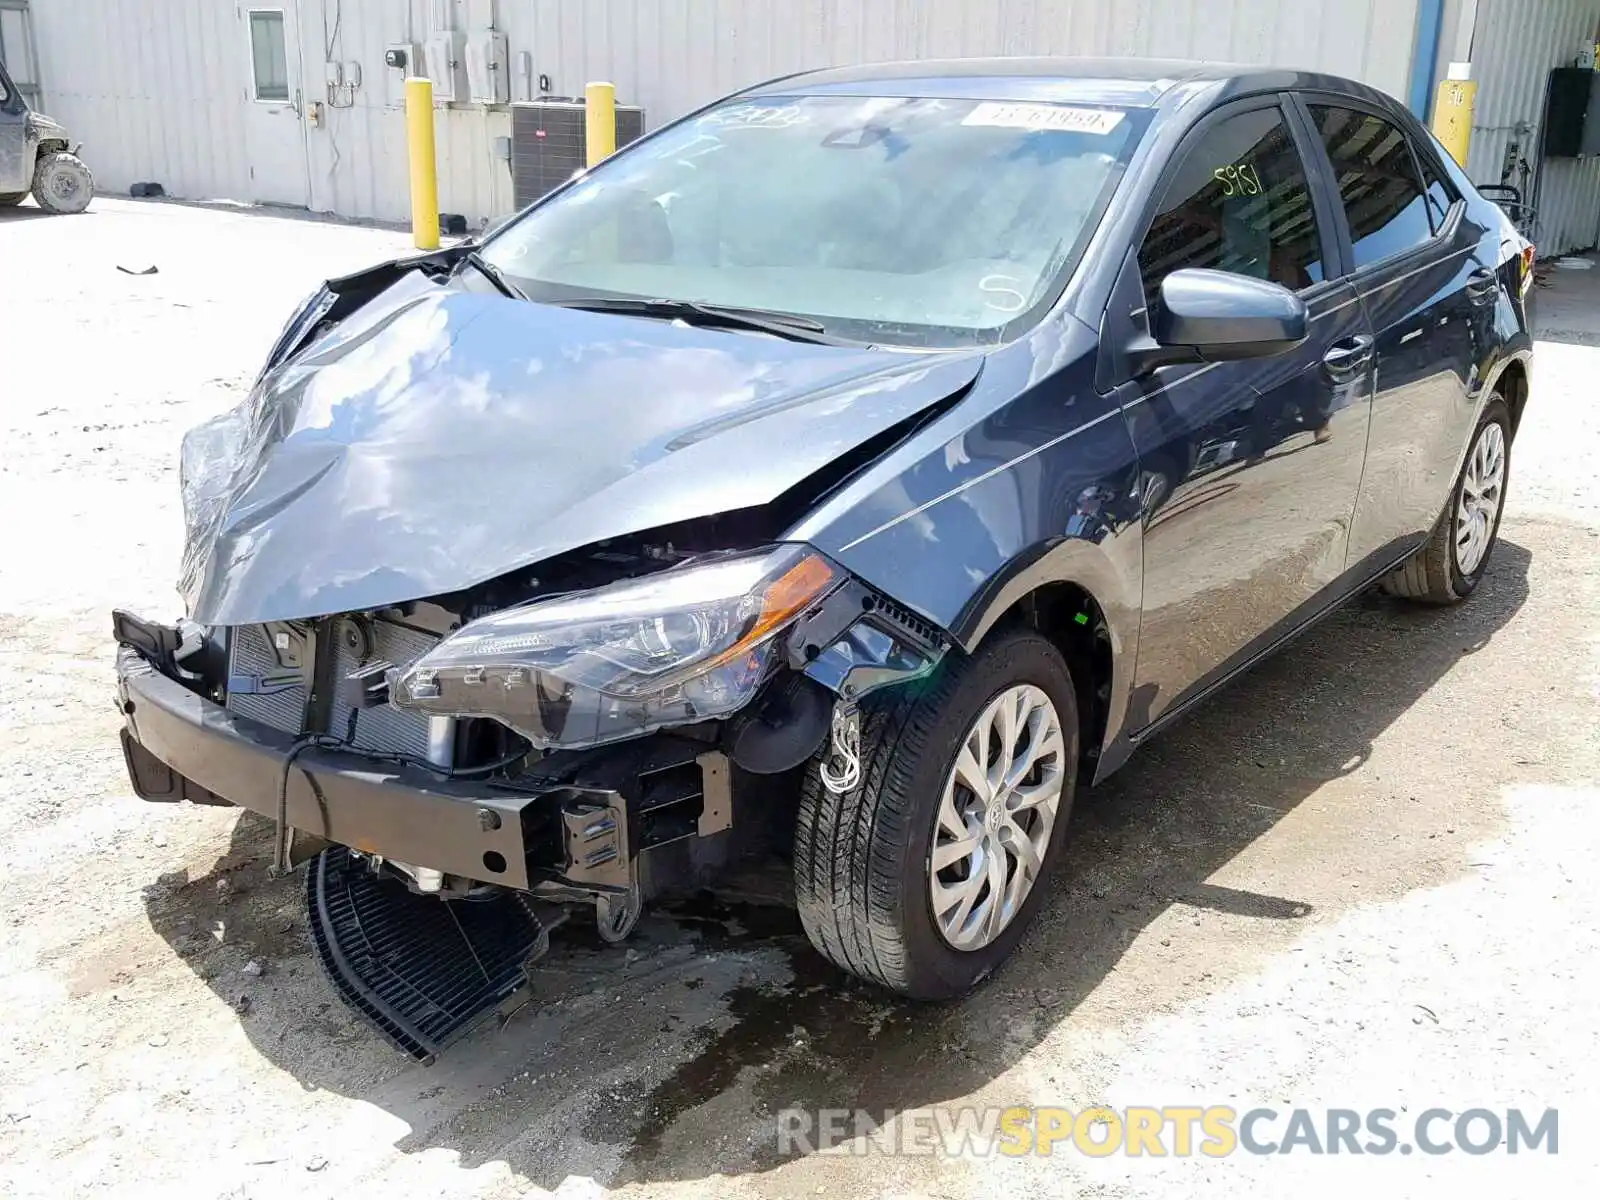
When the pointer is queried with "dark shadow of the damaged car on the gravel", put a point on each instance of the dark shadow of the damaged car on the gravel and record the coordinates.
(786, 1030)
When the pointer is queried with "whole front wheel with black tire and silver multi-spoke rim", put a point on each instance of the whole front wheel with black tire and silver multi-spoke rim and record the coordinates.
(926, 876)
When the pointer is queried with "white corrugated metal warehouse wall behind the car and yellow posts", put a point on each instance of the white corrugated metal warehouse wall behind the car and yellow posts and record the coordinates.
(158, 87)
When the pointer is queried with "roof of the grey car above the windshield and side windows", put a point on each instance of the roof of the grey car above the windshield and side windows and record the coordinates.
(1113, 81)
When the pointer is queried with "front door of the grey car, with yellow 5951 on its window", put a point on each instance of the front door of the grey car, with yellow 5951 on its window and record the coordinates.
(1249, 470)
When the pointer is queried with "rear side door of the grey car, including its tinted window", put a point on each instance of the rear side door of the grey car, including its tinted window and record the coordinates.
(1425, 292)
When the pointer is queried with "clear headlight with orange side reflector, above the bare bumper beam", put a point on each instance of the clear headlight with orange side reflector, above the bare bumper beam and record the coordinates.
(686, 646)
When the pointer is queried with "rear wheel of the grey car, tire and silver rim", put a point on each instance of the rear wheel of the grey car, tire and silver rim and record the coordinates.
(1447, 570)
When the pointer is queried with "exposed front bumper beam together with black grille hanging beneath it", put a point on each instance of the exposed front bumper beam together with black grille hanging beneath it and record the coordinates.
(422, 969)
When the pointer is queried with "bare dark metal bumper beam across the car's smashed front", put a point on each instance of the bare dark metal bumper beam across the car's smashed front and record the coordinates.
(182, 746)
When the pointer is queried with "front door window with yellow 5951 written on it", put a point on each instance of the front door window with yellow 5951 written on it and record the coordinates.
(1238, 202)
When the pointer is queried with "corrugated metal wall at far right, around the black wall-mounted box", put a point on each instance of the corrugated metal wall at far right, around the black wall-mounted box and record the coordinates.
(1514, 49)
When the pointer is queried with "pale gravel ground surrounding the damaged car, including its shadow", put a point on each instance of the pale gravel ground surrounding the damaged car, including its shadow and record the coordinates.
(1359, 879)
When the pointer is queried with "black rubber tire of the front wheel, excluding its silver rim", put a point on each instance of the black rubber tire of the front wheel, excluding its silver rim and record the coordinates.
(863, 858)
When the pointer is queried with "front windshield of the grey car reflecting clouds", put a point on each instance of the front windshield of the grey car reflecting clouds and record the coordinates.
(884, 220)
